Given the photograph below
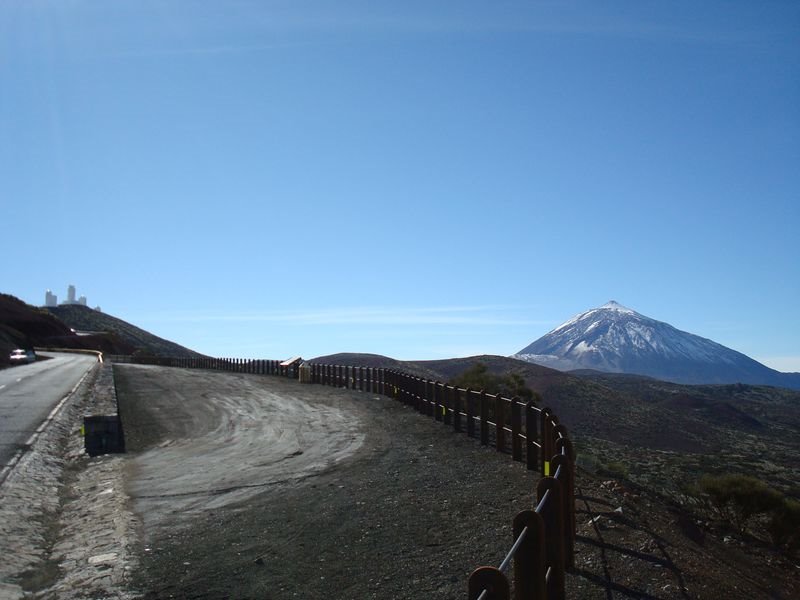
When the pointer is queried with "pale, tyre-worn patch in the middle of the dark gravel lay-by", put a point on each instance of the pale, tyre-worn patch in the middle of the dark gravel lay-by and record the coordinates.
(201, 440)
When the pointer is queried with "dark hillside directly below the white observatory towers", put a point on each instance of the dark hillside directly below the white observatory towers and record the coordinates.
(84, 319)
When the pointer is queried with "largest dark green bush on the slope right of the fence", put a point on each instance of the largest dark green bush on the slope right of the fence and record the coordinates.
(738, 498)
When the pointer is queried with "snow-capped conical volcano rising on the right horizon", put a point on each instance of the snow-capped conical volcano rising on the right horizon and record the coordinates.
(616, 339)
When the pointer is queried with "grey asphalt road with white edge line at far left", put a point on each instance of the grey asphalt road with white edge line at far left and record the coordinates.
(29, 392)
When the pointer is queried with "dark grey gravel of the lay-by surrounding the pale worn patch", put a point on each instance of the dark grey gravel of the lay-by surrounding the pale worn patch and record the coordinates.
(409, 515)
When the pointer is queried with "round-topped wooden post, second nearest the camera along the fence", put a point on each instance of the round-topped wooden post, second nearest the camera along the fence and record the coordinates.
(529, 561)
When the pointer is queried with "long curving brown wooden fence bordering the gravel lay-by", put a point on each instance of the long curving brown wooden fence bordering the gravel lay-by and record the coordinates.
(543, 542)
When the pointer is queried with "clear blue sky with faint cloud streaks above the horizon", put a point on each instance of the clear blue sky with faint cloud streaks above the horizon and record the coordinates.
(417, 179)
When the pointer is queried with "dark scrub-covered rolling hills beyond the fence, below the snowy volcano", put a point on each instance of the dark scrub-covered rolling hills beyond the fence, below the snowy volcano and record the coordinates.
(662, 435)
